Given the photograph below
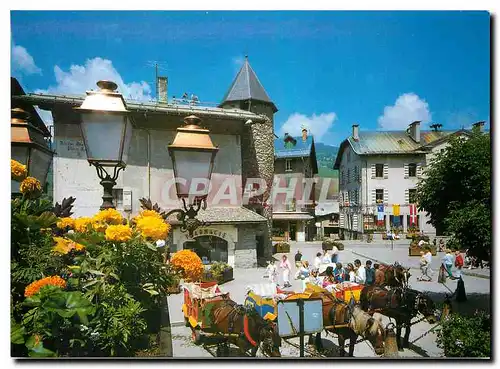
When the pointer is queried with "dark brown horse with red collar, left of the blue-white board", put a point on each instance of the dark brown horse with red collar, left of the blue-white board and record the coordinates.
(244, 328)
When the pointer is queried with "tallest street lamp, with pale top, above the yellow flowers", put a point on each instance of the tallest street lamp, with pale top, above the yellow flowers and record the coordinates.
(106, 131)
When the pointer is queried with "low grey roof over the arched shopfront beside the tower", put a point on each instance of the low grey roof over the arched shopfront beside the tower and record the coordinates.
(224, 215)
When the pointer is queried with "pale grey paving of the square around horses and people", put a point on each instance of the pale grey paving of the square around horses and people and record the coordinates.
(478, 290)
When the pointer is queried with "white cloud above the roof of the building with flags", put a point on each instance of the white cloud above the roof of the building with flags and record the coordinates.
(407, 109)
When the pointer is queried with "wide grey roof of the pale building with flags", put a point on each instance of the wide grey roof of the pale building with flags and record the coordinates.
(393, 142)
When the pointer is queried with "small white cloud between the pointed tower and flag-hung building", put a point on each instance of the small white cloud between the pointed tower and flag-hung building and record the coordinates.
(317, 125)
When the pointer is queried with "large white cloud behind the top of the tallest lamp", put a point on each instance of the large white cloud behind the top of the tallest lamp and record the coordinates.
(81, 78)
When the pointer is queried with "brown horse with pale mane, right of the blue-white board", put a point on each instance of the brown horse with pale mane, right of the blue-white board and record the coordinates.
(348, 322)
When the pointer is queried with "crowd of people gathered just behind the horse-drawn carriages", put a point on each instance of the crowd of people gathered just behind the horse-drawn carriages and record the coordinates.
(333, 271)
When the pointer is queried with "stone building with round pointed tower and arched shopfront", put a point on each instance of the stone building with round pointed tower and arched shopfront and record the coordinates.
(242, 128)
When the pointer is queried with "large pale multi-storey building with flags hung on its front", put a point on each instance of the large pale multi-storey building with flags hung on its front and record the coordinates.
(383, 168)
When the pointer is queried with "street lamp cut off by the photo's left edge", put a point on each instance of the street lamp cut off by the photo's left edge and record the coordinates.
(29, 147)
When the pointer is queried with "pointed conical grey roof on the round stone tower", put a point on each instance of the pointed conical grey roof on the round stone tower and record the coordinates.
(246, 86)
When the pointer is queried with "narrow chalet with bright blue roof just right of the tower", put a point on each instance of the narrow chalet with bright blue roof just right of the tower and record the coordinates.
(295, 160)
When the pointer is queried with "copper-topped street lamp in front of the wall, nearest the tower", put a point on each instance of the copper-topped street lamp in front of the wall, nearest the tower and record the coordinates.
(193, 155)
